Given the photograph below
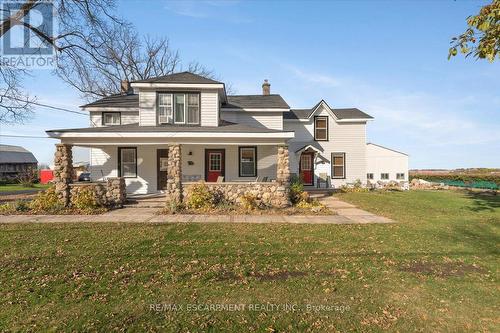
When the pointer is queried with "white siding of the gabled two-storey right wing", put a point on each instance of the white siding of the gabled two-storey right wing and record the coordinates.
(348, 138)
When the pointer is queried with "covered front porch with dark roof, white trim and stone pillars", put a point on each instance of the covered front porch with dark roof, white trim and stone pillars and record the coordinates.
(164, 159)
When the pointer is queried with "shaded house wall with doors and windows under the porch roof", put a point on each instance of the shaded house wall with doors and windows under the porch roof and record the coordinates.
(145, 167)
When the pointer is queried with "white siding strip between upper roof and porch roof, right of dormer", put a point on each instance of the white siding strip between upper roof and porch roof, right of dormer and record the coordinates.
(273, 120)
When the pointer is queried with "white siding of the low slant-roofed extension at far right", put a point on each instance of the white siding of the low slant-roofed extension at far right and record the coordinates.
(384, 160)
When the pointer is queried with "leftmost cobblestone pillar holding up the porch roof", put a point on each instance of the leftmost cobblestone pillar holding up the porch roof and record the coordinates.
(63, 171)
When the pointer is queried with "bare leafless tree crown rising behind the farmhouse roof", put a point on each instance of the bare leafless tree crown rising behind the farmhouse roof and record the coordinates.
(122, 55)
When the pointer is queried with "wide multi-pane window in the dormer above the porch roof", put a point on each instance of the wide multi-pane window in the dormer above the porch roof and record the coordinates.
(179, 108)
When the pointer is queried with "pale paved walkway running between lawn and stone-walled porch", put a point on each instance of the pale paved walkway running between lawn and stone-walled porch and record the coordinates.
(346, 214)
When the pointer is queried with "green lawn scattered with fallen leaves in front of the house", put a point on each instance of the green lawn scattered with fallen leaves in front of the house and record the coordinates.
(436, 270)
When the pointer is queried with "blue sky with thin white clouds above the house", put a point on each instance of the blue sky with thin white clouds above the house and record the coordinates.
(386, 58)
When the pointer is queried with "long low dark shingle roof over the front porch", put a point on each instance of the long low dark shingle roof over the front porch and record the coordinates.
(224, 127)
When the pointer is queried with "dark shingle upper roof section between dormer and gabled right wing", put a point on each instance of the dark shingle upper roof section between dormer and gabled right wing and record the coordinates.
(273, 101)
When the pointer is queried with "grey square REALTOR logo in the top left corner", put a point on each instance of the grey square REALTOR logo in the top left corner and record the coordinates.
(23, 43)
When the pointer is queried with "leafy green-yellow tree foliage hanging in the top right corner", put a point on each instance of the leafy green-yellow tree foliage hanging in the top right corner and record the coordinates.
(482, 37)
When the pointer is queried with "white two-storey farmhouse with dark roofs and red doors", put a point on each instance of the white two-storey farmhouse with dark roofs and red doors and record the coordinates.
(224, 138)
